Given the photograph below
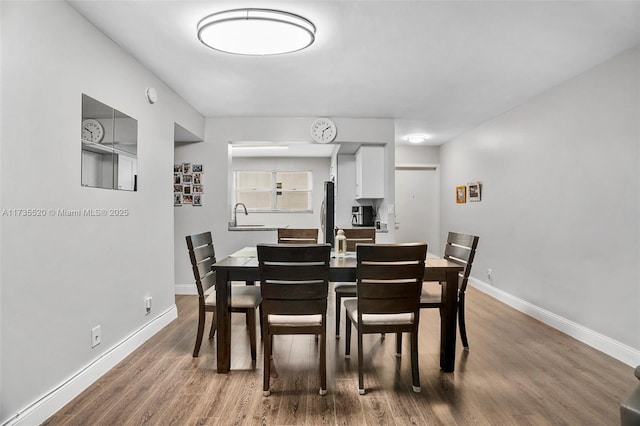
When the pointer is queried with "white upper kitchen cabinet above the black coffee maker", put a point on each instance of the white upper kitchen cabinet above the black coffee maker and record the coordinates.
(370, 172)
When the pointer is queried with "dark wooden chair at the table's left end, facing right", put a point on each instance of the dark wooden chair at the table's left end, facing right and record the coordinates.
(243, 298)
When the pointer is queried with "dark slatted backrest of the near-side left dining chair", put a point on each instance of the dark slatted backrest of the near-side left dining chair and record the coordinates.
(294, 278)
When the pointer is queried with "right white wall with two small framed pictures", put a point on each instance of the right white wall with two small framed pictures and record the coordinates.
(558, 221)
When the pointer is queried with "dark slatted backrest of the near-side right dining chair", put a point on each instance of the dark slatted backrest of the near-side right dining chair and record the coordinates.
(389, 277)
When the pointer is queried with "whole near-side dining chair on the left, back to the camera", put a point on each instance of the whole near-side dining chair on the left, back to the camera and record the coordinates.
(294, 280)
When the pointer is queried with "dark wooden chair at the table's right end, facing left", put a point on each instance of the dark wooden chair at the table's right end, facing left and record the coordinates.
(460, 248)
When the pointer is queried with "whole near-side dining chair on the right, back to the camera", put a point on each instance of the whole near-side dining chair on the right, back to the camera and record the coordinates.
(389, 282)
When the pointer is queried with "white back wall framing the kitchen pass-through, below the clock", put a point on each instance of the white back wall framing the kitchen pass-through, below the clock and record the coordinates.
(214, 215)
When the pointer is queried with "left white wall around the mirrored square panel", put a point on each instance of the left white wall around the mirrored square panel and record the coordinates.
(61, 276)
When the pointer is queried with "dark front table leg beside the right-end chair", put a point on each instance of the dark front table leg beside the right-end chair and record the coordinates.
(448, 322)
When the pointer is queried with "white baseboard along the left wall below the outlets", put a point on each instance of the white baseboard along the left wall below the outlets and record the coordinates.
(47, 405)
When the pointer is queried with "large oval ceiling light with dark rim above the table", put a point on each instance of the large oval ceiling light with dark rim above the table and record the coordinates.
(256, 32)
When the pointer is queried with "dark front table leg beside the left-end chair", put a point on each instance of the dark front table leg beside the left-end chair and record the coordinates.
(223, 321)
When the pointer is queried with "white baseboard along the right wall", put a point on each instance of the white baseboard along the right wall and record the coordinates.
(611, 347)
